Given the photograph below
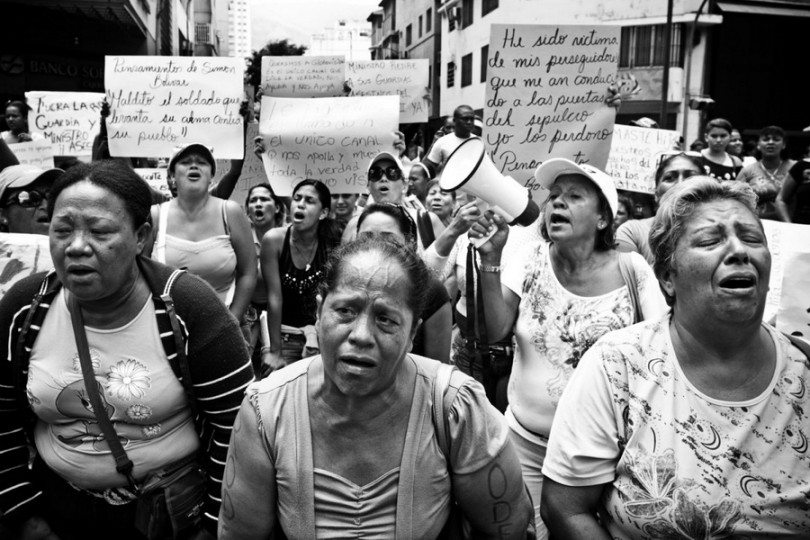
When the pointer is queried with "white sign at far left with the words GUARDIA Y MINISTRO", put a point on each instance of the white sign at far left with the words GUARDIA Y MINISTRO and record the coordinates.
(70, 120)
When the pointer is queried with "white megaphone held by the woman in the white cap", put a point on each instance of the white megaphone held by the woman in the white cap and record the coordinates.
(470, 169)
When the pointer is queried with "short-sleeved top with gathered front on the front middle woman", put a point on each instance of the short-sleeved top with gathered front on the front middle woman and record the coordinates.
(409, 501)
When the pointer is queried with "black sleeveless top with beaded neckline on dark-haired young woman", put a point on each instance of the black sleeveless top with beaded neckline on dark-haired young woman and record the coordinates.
(299, 286)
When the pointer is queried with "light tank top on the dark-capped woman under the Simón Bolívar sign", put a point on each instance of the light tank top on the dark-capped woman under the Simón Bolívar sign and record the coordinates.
(213, 259)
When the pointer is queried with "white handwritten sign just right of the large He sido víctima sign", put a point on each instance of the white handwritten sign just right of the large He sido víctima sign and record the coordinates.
(634, 154)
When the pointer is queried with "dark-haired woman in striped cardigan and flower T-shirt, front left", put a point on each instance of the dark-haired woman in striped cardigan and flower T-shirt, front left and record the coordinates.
(153, 374)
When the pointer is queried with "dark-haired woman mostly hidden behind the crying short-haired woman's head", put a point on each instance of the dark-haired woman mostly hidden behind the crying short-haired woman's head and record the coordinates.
(634, 234)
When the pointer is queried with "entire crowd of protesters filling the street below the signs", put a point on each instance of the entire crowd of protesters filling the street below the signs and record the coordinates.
(614, 375)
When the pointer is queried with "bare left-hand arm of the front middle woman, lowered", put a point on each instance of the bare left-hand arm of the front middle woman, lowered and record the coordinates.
(249, 496)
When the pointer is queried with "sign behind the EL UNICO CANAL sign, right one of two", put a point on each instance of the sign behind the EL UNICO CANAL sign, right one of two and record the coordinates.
(407, 79)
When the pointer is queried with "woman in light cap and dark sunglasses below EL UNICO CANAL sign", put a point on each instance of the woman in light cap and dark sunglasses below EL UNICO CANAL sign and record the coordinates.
(386, 183)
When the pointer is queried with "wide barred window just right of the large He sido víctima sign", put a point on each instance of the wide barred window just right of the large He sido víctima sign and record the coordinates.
(643, 46)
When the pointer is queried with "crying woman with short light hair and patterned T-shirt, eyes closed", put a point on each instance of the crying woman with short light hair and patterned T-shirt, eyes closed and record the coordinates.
(693, 425)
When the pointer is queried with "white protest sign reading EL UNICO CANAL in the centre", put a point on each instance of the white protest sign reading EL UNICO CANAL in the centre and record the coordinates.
(329, 139)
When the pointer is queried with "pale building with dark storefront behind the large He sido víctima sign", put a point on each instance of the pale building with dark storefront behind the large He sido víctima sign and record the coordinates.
(711, 59)
